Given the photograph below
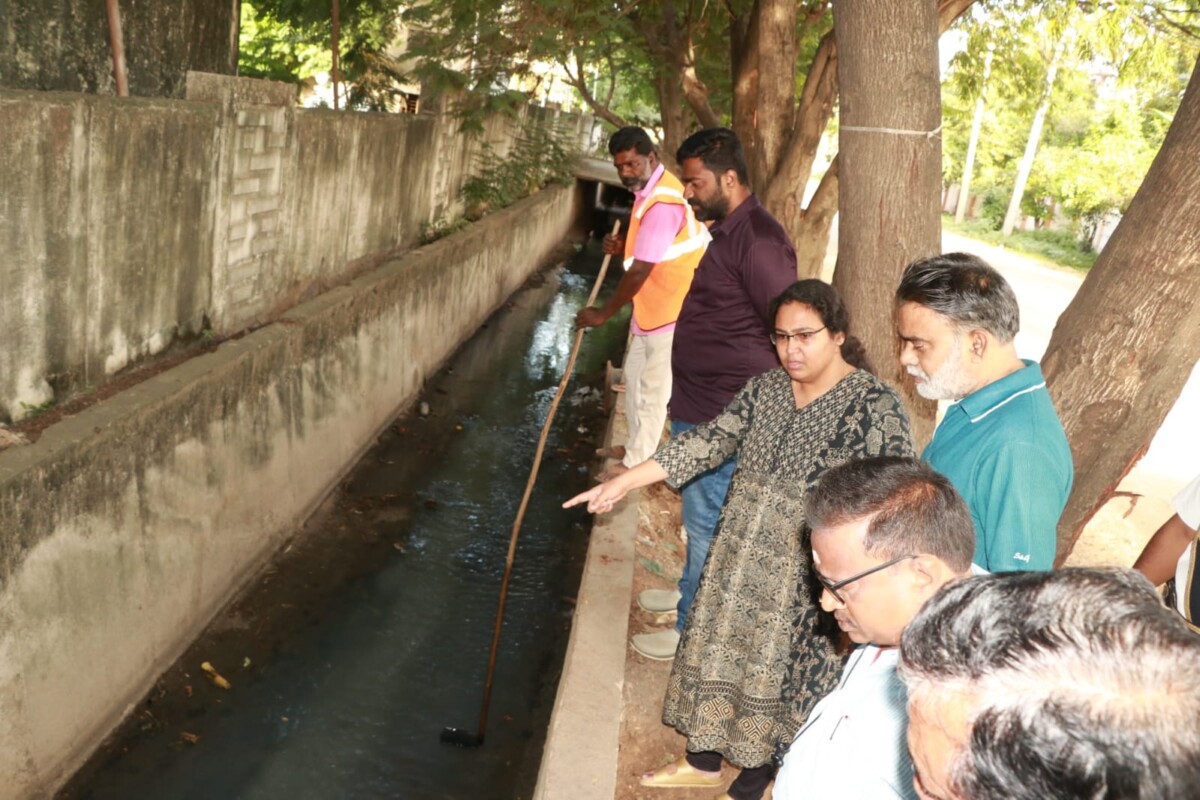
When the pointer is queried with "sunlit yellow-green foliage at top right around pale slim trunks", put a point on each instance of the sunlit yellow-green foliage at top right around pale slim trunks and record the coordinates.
(1117, 93)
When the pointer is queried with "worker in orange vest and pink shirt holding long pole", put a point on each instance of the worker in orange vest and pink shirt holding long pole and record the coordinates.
(662, 249)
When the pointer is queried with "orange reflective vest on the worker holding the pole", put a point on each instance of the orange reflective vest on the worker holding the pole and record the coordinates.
(659, 300)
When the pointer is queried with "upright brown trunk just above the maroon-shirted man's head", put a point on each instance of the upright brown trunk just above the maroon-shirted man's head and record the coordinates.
(777, 86)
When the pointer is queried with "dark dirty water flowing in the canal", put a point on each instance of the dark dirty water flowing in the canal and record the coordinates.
(370, 633)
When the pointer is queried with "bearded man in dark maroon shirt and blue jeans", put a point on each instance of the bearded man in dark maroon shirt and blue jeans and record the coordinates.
(723, 335)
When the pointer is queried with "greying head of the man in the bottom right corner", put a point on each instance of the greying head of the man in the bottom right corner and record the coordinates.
(1053, 687)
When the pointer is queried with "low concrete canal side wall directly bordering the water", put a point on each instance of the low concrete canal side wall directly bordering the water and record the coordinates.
(128, 527)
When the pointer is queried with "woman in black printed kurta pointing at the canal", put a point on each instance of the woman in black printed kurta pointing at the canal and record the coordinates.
(754, 657)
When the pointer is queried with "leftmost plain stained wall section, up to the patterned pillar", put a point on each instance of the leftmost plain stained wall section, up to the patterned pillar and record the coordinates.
(106, 219)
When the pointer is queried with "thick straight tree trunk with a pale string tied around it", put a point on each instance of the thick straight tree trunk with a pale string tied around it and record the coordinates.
(892, 158)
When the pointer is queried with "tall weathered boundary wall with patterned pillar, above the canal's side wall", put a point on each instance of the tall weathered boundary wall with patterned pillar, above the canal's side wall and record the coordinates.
(128, 224)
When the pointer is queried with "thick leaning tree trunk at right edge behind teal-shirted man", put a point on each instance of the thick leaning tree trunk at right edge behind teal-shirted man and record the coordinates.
(1124, 350)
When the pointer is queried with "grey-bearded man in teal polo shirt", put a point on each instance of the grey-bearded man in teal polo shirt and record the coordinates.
(1001, 443)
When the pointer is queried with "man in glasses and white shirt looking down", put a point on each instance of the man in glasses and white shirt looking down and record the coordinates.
(887, 534)
